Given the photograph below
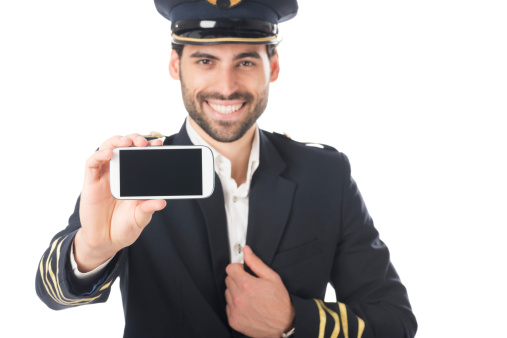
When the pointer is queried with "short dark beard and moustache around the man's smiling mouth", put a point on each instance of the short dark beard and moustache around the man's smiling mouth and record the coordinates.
(224, 131)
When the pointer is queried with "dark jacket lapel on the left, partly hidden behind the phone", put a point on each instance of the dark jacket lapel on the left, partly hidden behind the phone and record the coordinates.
(213, 209)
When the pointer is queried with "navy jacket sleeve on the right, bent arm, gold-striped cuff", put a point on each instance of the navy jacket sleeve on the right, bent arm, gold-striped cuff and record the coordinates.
(372, 301)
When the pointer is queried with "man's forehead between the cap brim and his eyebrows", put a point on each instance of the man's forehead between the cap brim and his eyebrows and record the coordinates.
(225, 51)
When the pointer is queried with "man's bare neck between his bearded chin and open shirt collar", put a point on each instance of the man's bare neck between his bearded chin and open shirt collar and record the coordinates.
(238, 152)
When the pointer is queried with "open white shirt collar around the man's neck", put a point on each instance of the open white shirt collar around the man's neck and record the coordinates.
(253, 161)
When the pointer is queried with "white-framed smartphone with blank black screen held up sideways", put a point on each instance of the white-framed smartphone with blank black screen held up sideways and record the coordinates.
(163, 172)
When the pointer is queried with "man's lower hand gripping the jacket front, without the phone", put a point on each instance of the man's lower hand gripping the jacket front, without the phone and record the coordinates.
(257, 307)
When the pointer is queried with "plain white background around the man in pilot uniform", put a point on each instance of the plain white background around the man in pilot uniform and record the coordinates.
(414, 92)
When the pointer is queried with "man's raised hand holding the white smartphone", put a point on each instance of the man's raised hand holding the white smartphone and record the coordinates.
(107, 224)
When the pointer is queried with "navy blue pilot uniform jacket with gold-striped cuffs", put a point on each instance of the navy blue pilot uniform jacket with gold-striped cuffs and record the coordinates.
(307, 221)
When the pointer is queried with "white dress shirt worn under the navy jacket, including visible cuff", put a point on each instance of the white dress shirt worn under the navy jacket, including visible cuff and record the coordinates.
(235, 198)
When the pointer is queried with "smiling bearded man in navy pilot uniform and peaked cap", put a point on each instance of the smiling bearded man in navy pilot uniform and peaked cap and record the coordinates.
(291, 213)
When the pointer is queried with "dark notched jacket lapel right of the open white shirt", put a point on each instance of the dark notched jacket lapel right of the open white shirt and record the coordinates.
(270, 202)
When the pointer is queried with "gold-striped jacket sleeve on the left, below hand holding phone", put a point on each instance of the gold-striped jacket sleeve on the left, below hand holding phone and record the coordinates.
(55, 282)
